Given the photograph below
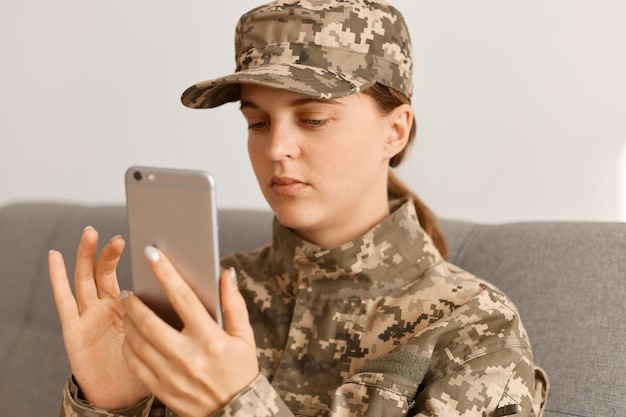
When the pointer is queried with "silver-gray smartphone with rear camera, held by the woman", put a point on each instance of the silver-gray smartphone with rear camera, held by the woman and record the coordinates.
(175, 211)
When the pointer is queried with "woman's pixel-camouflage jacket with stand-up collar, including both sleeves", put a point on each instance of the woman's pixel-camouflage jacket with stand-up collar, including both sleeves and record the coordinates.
(381, 326)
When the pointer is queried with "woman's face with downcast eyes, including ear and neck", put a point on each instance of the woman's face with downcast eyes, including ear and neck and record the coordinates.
(322, 164)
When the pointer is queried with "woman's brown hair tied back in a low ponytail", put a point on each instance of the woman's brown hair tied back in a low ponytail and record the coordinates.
(388, 99)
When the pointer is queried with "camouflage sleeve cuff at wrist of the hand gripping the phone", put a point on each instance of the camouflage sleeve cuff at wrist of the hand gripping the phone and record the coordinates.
(259, 399)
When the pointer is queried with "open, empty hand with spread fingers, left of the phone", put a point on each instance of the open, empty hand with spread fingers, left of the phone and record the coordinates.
(92, 323)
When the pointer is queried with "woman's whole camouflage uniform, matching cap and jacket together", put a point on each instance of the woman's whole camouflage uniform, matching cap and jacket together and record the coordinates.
(381, 326)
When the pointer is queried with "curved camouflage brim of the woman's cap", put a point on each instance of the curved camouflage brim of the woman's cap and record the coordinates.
(299, 79)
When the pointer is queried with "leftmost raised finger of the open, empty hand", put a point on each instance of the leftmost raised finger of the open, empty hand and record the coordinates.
(63, 297)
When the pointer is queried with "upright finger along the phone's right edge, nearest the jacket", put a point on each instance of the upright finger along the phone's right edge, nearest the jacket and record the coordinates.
(236, 317)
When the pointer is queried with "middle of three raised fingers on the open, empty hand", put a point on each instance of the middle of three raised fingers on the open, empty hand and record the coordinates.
(85, 261)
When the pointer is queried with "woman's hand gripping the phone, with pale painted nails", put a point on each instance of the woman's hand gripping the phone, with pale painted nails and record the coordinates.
(200, 369)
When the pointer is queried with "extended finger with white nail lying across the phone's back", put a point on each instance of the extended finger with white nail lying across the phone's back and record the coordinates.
(186, 303)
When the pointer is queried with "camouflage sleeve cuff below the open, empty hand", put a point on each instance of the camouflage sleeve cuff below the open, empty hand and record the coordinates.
(75, 406)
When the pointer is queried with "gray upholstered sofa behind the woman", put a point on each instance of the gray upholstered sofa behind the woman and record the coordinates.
(567, 279)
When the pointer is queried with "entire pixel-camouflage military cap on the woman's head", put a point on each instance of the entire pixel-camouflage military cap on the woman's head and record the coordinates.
(317, 48)
